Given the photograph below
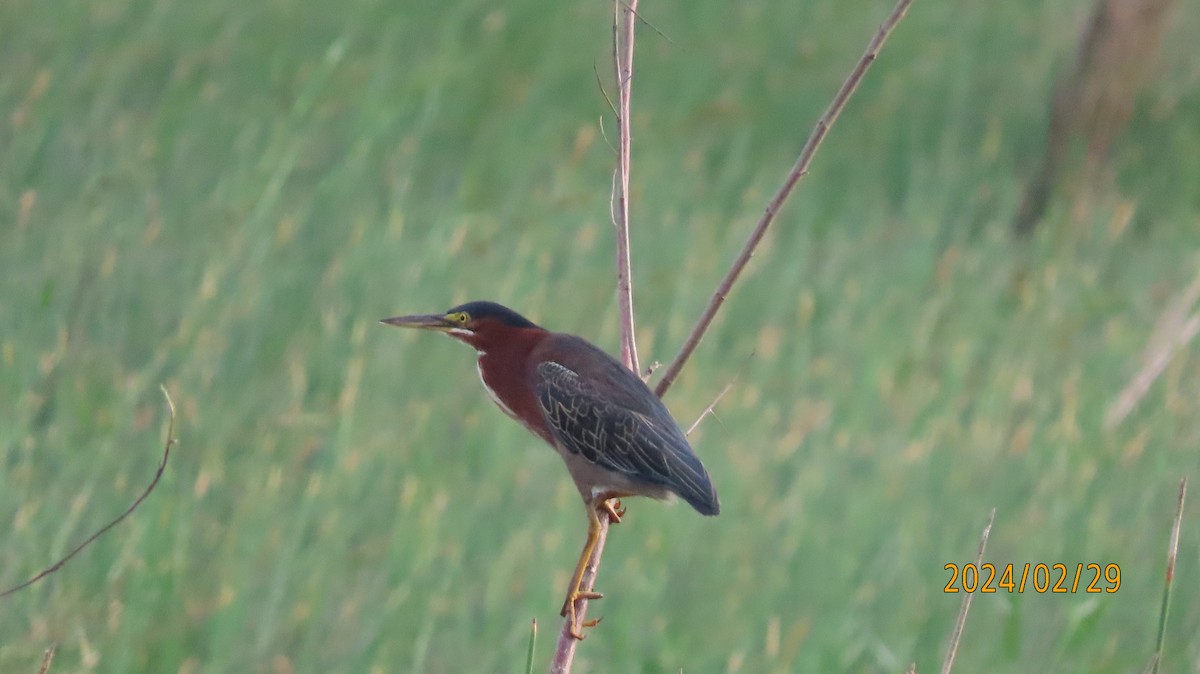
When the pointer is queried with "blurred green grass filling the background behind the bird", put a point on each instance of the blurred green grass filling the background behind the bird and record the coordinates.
(224, 197)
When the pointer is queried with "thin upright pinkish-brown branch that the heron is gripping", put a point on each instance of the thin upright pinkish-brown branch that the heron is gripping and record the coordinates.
(625, 20)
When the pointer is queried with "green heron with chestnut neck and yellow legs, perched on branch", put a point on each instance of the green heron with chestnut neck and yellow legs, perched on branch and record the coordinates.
(615, 435)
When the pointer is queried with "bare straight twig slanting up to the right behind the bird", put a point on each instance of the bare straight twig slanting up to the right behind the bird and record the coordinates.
(777, 202)
